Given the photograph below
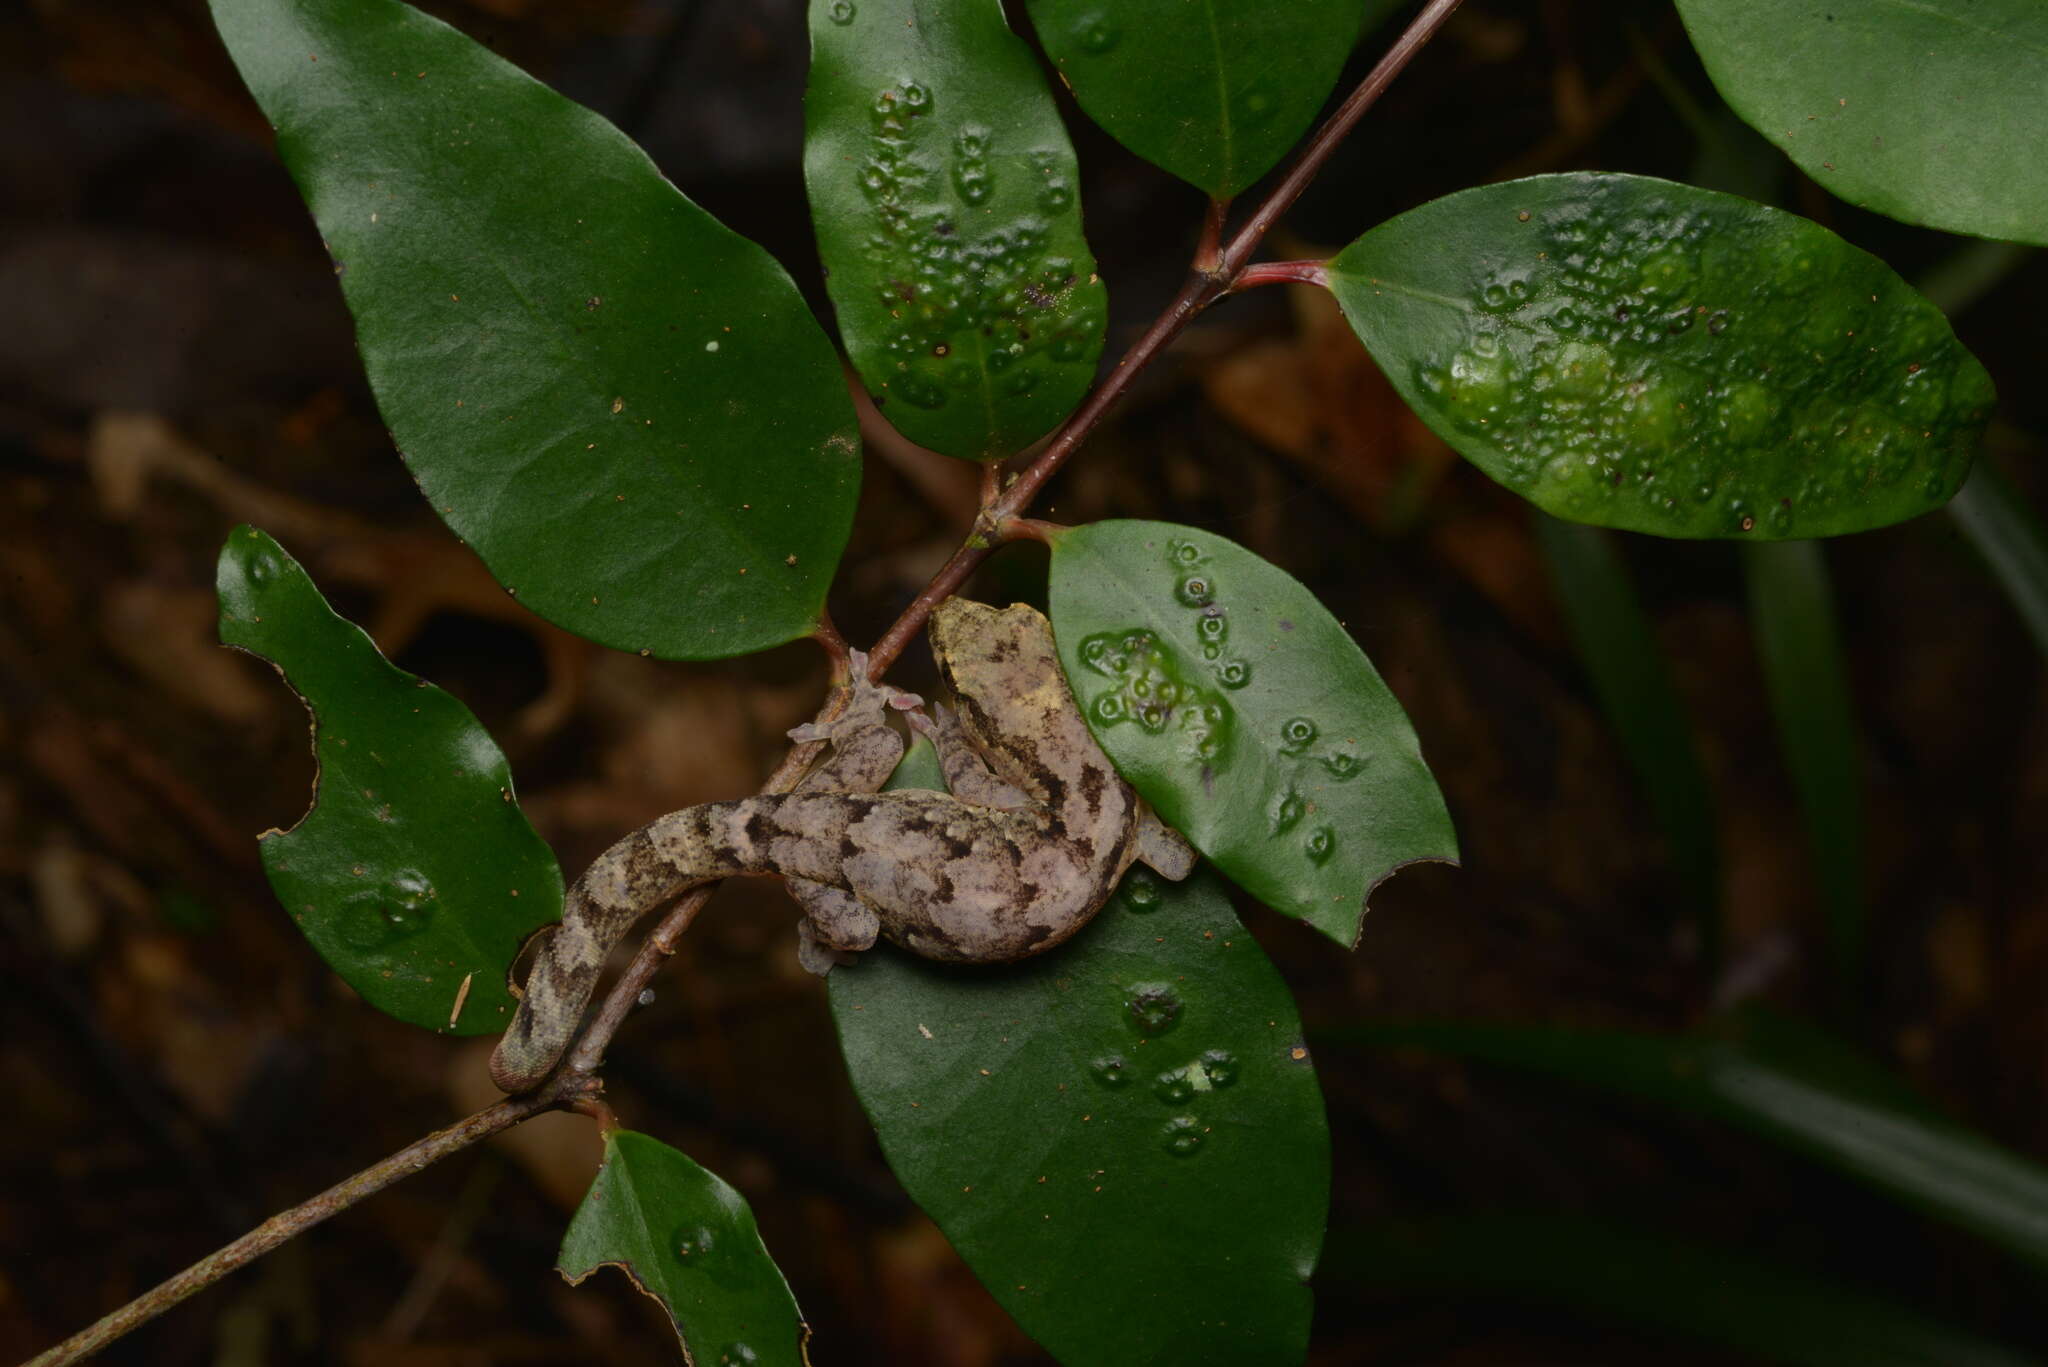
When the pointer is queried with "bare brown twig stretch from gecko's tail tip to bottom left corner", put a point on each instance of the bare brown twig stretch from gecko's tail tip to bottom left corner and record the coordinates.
(298, 1220)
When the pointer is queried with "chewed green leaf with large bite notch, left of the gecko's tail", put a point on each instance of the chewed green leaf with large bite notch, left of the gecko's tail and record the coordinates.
(415, 874)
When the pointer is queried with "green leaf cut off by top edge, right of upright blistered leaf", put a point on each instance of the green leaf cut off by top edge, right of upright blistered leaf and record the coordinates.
(1213, 91)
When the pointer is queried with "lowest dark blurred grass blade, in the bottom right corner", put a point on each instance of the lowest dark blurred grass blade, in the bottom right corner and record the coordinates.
(1766, 1309)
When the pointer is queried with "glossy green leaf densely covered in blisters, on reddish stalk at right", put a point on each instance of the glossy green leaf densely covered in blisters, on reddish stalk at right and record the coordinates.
(1648, 356)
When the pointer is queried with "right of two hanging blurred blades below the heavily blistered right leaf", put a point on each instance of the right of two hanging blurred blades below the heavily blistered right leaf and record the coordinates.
(1799, 647)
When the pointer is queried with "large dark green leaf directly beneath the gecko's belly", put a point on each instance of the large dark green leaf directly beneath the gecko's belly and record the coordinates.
(1123, 1138)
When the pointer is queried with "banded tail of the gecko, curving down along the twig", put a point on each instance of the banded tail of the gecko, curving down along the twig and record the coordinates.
(650, 868)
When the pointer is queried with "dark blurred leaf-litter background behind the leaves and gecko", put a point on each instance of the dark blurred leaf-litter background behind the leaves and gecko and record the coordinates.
(175, 358)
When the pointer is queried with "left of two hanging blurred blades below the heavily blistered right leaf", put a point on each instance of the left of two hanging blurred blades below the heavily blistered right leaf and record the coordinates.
(1635, 690)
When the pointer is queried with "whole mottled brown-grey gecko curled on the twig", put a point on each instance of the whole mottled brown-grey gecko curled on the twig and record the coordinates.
(1023, 852)
